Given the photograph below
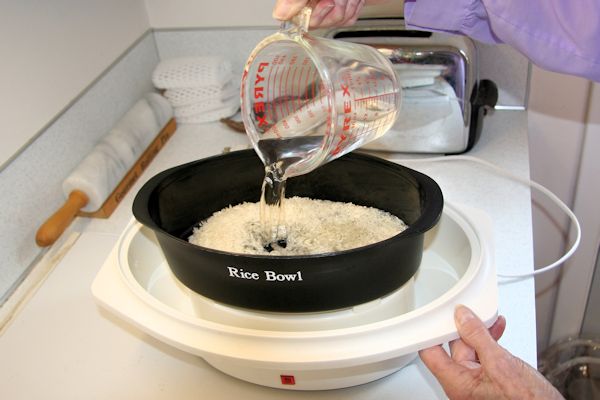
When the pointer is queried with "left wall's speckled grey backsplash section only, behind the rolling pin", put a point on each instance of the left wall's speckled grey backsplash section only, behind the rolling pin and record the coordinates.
(33, 180)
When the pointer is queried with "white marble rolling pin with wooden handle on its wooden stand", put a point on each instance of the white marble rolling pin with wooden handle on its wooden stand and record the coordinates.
(97, 185)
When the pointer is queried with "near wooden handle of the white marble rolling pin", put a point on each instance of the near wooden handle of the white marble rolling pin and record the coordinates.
(54, 226)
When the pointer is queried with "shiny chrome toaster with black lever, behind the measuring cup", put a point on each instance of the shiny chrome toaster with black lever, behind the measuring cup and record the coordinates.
(443, 101)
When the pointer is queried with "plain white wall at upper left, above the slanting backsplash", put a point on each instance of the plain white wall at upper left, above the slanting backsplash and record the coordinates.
(51, 51)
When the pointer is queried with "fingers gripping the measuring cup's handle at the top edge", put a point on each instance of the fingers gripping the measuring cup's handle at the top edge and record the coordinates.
(326, 13)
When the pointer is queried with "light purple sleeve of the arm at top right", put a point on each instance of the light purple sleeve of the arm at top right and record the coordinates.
(558, 35)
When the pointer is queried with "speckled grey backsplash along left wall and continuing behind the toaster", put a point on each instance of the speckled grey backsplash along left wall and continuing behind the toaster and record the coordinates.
(32, 182)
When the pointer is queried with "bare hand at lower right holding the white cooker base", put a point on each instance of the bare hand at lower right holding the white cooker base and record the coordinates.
(479, 368)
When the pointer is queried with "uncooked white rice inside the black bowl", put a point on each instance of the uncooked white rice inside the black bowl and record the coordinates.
(313, 227)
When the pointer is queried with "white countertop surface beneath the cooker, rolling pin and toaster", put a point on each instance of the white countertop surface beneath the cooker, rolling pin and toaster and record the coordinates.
(62, 346)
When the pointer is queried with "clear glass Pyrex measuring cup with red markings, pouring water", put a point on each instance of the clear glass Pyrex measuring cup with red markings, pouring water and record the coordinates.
(309, 100)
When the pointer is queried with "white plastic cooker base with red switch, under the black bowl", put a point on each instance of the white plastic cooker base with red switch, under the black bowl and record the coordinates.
(311, 351)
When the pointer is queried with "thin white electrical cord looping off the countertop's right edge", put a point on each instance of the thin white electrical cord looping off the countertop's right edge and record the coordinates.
(504, 173)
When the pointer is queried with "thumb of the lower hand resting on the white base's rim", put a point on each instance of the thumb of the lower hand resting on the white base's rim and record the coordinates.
(474, 333)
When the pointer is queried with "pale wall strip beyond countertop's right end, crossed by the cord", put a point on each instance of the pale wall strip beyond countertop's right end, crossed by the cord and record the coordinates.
(557, 112)
